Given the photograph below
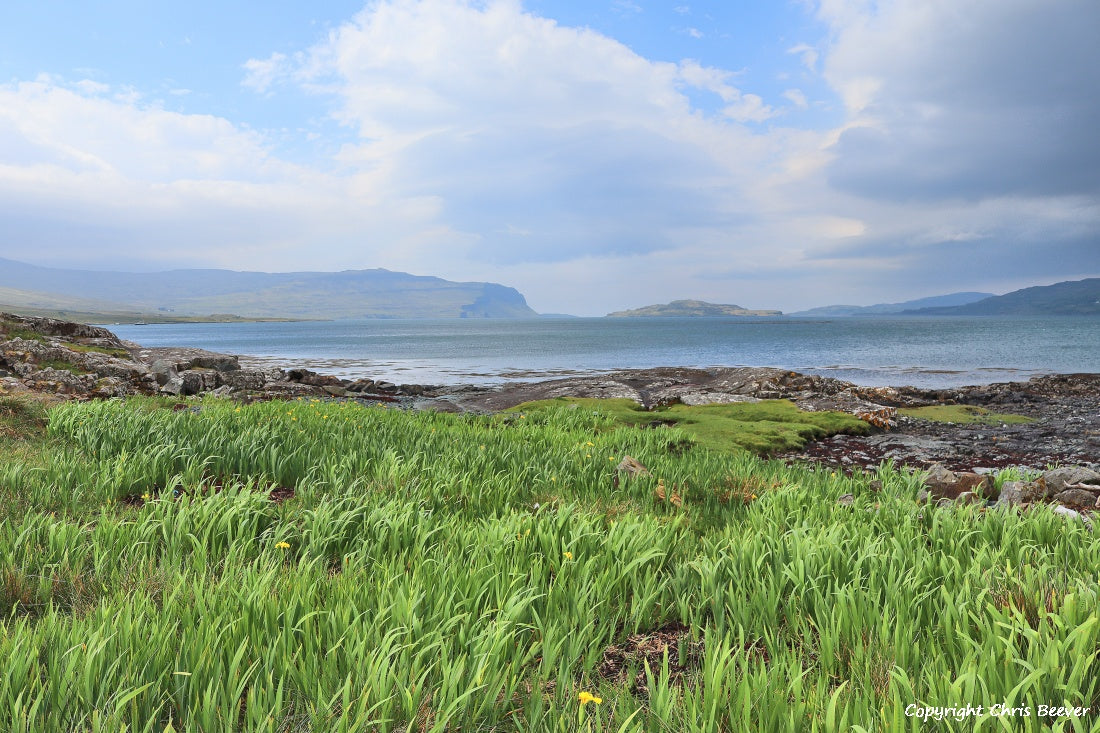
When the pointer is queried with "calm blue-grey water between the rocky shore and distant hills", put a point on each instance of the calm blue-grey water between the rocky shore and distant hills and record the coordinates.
(931, 353)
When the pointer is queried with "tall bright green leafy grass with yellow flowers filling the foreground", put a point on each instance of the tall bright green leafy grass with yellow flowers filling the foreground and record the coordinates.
(316, 566)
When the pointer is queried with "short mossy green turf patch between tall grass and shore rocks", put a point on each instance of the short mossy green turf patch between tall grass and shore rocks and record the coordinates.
(764, 428)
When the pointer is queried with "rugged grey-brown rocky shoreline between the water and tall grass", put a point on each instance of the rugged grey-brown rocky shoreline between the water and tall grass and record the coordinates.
(79, 362)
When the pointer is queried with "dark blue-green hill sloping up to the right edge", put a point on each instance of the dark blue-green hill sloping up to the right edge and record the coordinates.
(1076, 298)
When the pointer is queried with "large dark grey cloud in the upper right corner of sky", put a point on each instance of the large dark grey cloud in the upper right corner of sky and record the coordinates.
(976, 101)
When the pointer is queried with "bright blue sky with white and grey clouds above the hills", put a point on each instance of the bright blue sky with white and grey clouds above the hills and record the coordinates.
(597, 155)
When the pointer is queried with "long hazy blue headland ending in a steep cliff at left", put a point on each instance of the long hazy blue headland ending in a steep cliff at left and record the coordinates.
(322, 296)
